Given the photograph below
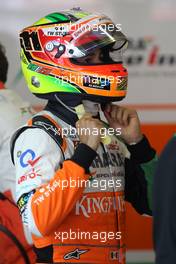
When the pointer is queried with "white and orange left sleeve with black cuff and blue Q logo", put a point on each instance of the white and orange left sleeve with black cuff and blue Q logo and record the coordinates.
(44, 193)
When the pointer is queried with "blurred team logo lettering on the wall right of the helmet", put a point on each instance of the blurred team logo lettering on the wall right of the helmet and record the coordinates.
(146, 51)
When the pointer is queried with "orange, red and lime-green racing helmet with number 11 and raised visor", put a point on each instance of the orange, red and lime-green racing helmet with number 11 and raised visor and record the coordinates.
(51, 52)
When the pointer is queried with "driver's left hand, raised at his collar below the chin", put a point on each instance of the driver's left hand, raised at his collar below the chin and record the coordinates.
(89, 131)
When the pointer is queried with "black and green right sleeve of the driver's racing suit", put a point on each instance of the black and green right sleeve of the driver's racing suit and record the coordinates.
(140, 169)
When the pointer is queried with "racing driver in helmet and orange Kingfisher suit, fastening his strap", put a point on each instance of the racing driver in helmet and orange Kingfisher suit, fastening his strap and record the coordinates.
(71, 187)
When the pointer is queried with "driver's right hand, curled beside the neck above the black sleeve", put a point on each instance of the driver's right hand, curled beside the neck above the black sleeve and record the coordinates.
(127, 120)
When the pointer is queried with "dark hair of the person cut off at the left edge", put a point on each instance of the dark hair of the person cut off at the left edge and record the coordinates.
(3, 65)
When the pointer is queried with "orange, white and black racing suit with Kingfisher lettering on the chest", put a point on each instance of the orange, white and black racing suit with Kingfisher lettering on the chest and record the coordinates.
(72, 198)
